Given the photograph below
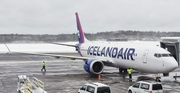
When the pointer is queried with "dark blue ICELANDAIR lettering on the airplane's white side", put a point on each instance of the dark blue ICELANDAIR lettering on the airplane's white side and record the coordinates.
(113, 52)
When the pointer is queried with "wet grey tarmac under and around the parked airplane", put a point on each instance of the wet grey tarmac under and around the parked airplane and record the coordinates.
(67, 76)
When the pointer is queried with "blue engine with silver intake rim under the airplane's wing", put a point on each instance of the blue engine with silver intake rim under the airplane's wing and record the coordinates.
(94, 66)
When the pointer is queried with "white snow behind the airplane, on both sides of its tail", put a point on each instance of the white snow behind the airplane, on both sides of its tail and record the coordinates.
(44, 47)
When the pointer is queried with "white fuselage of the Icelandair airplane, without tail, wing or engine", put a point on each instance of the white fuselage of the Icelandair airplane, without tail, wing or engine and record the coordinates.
(128, 55)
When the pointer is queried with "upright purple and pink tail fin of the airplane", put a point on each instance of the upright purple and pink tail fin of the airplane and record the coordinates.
(81, 36)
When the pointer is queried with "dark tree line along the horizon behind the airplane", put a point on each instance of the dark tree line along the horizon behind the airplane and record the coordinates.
(121, 34)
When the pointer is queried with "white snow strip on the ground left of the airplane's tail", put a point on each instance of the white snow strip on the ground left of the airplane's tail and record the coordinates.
(43, 47)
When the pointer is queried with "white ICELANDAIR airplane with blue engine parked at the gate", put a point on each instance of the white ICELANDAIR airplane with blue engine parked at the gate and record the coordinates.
(144, 58)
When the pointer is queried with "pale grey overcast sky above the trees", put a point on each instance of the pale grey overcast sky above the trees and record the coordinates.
(58, 16)
